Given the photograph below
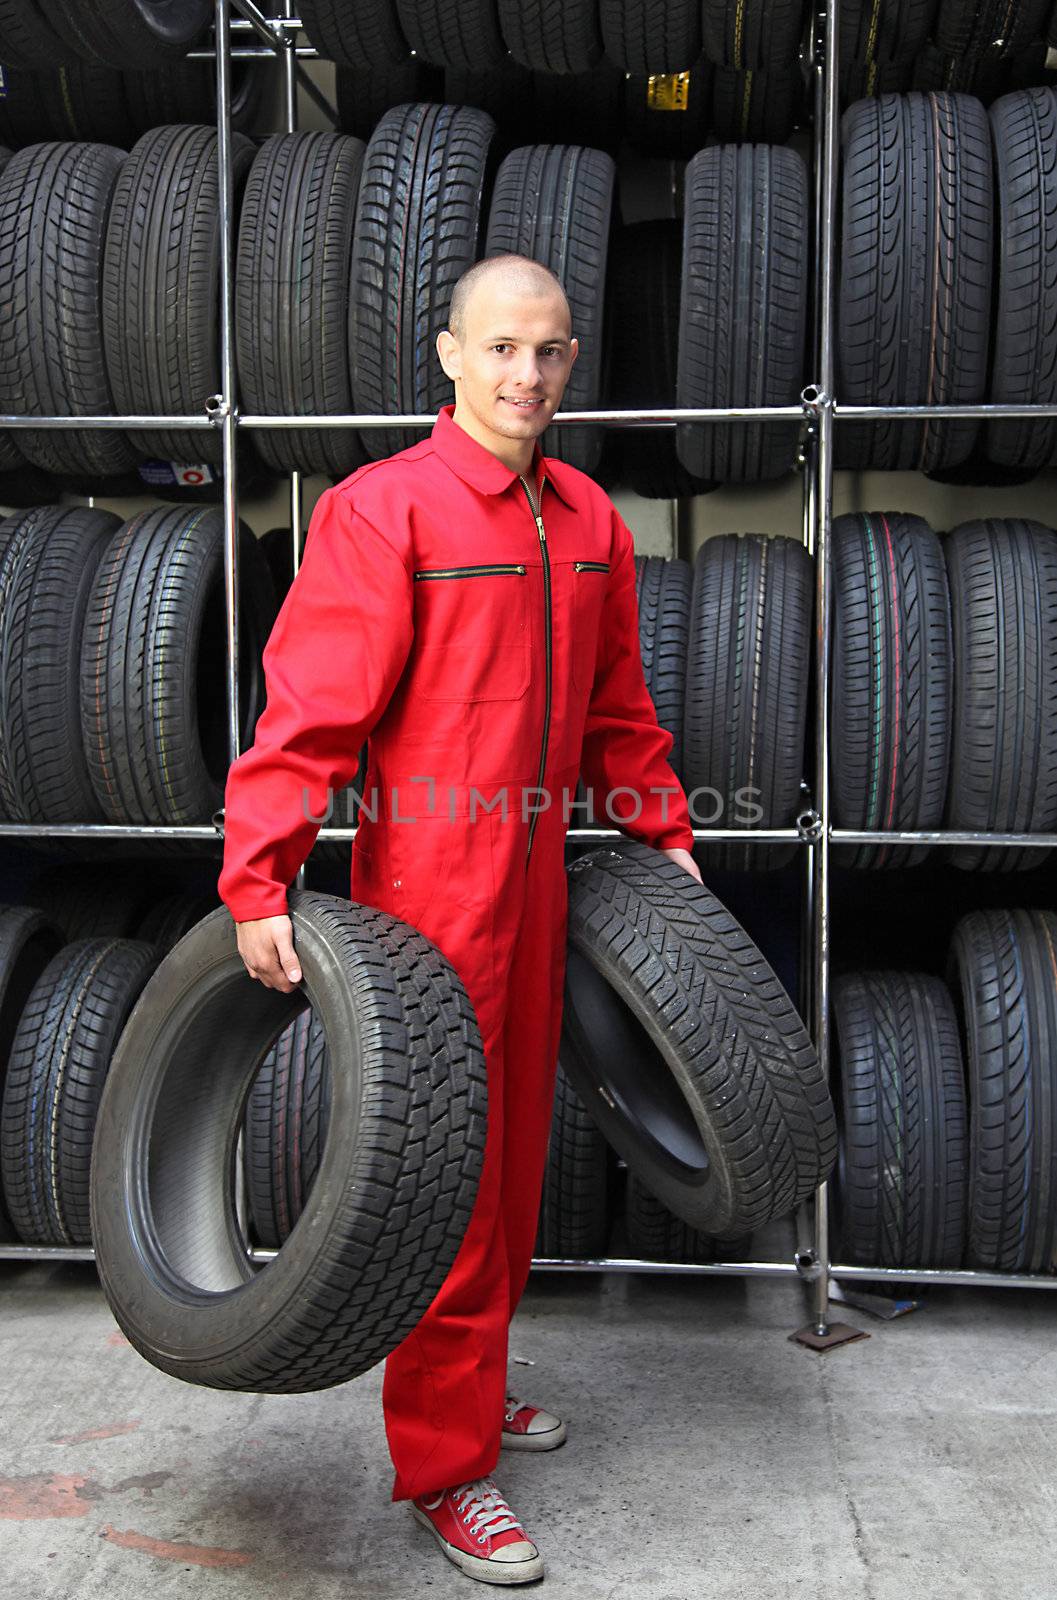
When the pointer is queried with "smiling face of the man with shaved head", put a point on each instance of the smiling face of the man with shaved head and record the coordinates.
(514, 361)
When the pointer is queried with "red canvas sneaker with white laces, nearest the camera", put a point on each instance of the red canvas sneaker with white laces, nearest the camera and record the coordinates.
(477, 1530)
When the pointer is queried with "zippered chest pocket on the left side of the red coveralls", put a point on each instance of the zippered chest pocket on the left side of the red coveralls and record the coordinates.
(473, 633)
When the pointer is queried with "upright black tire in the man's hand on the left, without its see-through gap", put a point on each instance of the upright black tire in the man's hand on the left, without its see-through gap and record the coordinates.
(396, 1183)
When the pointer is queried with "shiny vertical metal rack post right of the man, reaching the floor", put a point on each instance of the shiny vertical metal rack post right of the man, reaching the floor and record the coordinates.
(826, 145)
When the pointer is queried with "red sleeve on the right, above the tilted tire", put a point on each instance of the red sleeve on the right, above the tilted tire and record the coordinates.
(624, 745)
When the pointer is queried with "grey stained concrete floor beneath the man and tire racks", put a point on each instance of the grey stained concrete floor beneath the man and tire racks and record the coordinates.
(708, 1457)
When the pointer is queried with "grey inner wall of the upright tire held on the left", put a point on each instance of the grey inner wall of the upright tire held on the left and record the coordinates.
(188, 1178)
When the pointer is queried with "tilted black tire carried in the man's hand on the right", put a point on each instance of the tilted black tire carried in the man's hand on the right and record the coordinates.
(685, 1047)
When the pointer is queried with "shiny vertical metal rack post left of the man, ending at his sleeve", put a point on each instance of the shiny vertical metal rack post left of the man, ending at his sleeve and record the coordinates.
(228, 364)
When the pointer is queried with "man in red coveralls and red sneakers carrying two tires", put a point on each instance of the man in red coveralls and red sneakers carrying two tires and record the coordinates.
(471, 606)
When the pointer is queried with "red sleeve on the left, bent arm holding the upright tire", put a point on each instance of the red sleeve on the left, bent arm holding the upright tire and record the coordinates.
(332, 663)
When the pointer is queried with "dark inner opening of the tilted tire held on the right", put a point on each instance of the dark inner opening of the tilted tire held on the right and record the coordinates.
(616, 1052)
